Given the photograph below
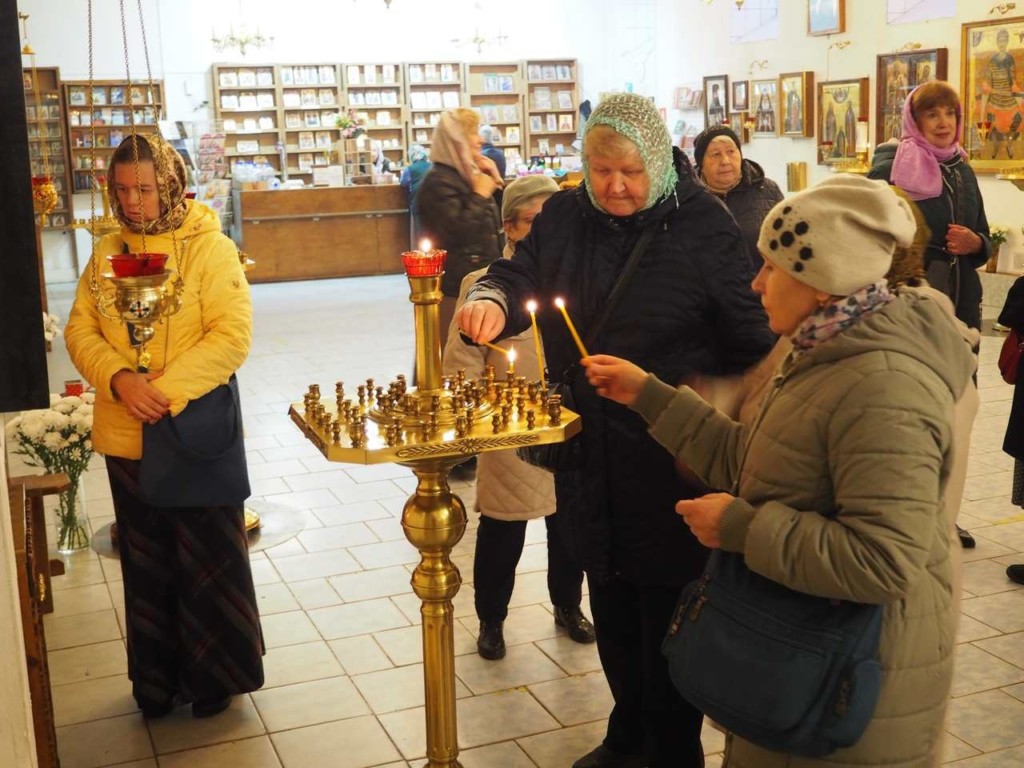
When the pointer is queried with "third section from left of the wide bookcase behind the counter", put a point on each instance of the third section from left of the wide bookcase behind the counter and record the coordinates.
(376, 94)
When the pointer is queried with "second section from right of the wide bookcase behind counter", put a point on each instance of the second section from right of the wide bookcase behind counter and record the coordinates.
(495, 91)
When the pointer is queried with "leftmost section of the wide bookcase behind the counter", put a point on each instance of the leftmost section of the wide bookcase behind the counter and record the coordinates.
(246, 99)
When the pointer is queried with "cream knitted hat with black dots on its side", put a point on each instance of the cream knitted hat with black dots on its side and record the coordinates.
(838, 236)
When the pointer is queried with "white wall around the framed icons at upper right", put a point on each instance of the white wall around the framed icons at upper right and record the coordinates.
(702, 48)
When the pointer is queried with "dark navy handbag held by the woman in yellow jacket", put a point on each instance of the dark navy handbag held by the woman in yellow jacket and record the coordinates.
(197, 458)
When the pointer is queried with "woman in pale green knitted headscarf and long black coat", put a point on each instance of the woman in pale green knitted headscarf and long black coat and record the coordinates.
(687, 310)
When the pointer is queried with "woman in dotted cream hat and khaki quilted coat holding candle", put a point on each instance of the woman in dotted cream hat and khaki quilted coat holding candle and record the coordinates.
(840, 482)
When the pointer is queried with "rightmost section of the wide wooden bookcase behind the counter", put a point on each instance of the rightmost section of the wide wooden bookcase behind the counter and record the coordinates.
(552, 106)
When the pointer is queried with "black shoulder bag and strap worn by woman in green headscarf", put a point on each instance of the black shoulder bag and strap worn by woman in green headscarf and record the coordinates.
(568, 455)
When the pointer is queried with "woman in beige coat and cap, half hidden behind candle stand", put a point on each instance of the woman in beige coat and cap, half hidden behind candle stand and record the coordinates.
(510, 492)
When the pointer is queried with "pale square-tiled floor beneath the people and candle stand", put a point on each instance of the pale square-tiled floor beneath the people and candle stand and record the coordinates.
(344, 668)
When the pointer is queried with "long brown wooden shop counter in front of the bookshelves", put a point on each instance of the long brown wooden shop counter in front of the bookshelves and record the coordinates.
(323, 232)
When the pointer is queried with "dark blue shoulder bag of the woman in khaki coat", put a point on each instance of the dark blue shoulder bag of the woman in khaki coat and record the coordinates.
(782, 669)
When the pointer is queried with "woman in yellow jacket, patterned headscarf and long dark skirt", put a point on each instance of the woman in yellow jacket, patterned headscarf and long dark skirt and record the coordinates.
(193, 625)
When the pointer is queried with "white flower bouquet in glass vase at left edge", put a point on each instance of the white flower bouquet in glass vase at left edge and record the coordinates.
(60, 440)
